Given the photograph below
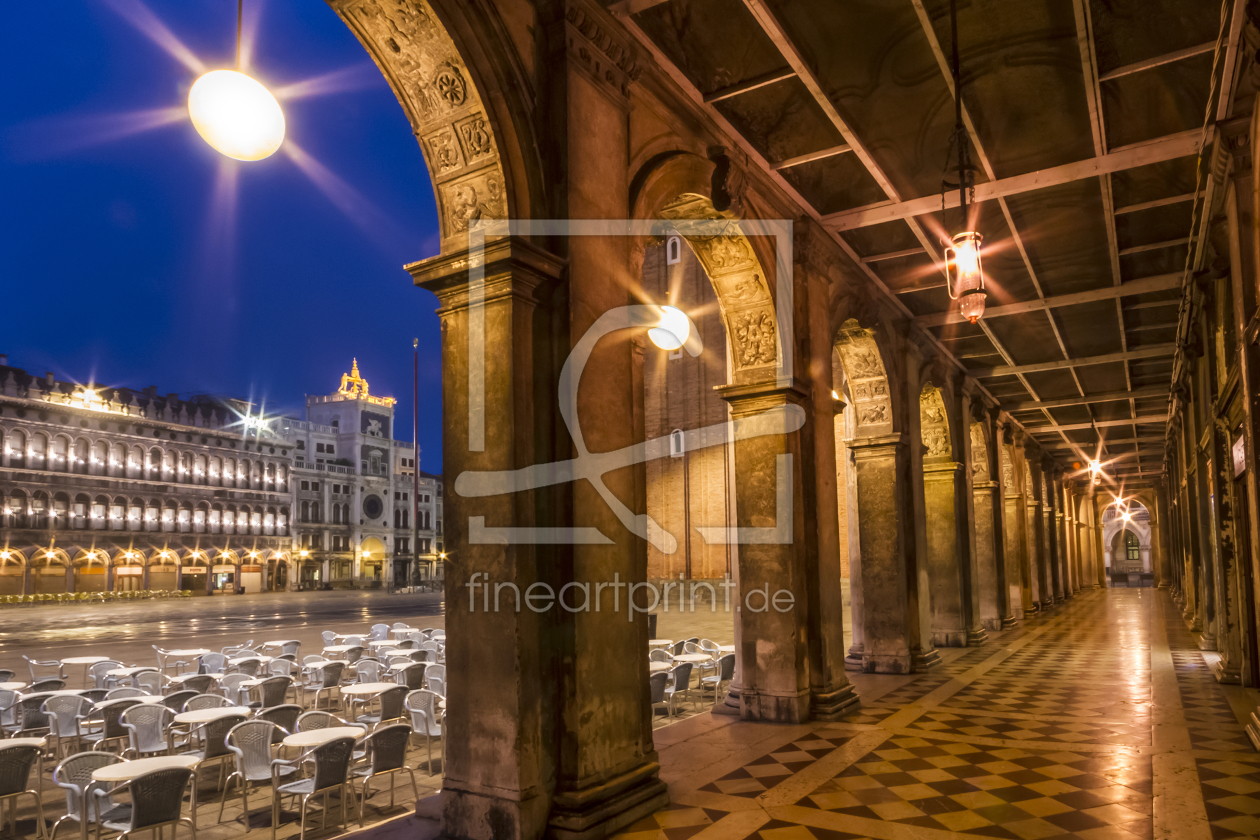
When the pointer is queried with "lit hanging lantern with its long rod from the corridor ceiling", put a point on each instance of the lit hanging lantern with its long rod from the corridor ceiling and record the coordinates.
(965, 271)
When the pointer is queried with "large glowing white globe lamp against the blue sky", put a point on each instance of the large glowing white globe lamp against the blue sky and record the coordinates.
(236, 115)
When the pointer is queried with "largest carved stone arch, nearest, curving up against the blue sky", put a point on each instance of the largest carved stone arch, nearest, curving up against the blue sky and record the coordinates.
(474, 145)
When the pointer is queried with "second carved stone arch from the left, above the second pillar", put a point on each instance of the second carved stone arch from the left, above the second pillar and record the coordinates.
(682, 190)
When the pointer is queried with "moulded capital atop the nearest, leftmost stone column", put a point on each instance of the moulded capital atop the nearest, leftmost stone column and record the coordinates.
(513, 268)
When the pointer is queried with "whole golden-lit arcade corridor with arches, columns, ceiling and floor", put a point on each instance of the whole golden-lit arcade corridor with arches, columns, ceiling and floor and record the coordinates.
(833, 433)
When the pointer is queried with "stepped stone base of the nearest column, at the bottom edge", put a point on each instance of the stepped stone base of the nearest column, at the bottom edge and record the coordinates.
(603, 810)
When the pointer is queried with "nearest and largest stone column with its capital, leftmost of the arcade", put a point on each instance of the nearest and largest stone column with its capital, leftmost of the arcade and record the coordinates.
(502, 735)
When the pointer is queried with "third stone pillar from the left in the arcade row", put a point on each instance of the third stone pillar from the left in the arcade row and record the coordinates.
(884, 512)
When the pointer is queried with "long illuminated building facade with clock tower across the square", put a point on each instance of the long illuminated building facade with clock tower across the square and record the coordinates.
(114, 489)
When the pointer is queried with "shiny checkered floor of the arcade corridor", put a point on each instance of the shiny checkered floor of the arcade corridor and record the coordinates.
(1044, 732)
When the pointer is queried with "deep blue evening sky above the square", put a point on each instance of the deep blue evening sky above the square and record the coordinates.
(115, 264)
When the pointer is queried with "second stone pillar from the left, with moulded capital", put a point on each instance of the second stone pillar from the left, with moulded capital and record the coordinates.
(776, 678)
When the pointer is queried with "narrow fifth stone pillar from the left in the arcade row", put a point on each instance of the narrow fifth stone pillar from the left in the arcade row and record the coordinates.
(988, 586)
